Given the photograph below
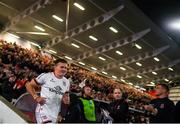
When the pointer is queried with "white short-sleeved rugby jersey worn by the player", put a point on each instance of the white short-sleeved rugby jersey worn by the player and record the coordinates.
(52, 88)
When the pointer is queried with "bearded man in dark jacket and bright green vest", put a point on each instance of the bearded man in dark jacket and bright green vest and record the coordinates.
(86, 110)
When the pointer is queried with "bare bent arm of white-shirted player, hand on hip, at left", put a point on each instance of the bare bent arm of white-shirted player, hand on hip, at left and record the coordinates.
(31, 88)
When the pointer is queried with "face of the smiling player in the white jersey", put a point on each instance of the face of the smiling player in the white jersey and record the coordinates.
(61, 69)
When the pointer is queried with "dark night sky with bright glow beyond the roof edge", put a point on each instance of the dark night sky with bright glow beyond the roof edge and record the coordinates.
(162, 13)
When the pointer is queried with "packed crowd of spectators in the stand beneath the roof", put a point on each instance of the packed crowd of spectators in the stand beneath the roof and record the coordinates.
(19, 65)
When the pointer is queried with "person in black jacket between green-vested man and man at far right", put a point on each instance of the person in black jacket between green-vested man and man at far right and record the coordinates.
(119, 107)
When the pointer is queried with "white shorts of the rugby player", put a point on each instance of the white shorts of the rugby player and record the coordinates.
(42, 116)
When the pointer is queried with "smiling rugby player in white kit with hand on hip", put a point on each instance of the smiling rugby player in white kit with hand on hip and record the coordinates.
(53, 86)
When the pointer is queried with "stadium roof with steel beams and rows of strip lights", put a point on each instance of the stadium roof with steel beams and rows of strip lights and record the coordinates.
(113, 37)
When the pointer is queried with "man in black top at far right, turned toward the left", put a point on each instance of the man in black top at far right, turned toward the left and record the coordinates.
(162, 108)
